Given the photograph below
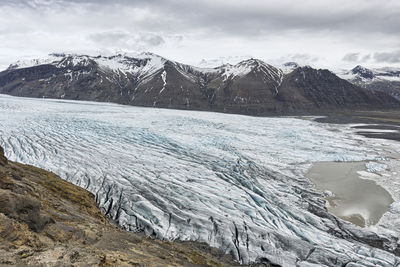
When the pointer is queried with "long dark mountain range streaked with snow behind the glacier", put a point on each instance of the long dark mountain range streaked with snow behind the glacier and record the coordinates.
(249, 87)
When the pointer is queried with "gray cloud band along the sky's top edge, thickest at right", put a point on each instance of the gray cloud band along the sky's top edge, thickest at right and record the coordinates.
(256, 16)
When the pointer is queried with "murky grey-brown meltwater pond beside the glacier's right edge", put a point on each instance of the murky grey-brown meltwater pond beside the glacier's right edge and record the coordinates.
(354, 199)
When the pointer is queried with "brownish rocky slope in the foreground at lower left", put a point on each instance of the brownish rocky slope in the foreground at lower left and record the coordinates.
(46, 221)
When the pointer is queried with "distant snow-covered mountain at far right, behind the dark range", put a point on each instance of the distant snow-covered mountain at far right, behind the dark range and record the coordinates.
(385, 80)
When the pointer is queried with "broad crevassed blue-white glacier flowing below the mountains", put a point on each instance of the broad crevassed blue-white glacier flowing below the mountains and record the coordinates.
(232, 181)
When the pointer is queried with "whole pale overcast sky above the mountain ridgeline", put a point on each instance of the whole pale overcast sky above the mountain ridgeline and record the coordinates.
(332, 34)
